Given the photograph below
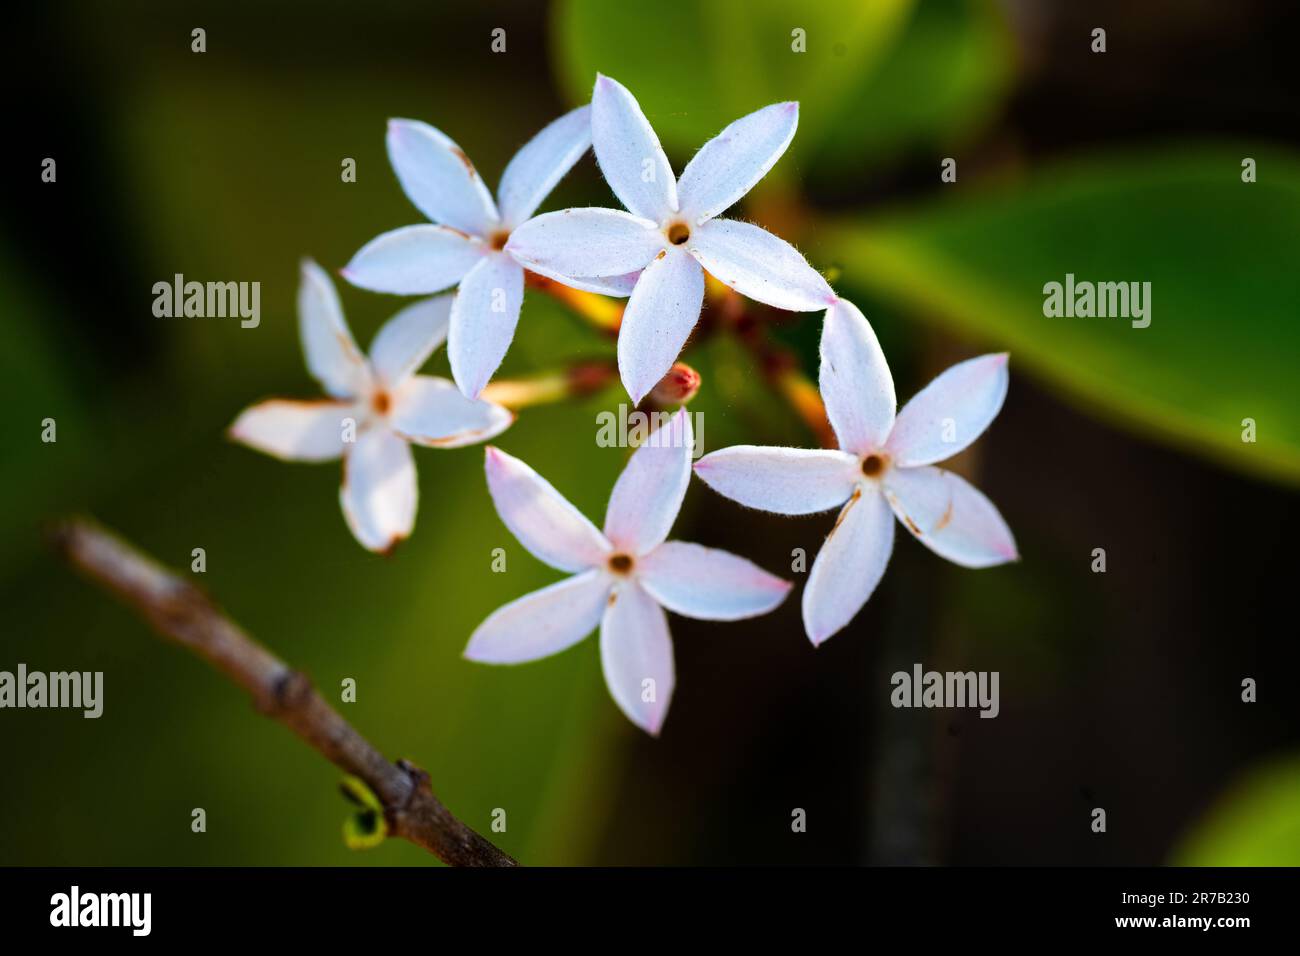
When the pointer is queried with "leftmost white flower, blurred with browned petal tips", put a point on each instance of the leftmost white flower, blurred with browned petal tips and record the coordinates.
(376, 408)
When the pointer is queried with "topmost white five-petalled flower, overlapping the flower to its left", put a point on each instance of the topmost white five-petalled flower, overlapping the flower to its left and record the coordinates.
(670, 231)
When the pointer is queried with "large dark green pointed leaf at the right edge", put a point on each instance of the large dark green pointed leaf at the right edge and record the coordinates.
(1220, 256)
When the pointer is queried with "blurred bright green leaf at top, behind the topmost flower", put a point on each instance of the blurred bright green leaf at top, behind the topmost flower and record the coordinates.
(697, 67)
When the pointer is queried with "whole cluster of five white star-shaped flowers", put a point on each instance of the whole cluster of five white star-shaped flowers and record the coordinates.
(655, 253)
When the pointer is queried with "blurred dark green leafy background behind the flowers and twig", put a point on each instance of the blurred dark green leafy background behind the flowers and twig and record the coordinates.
(1119, 691)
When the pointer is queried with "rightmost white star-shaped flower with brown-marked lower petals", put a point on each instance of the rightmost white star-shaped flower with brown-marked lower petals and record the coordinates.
(883, 464)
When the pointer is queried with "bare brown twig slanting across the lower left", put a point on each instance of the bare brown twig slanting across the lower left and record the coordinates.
(183, 613)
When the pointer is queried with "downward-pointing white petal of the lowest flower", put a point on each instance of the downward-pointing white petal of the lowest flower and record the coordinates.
(636, 656)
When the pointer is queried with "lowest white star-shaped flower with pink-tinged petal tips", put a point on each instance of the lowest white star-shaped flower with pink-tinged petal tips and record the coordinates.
(622, 579)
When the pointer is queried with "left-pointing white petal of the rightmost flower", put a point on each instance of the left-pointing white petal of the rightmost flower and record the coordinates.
(790, 482)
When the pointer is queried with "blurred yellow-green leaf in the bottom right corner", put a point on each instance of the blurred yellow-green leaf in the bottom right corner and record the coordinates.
(1255, 824)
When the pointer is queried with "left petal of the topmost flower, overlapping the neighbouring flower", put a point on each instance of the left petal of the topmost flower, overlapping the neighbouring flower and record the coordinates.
(586, 243)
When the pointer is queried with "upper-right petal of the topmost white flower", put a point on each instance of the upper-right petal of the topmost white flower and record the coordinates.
(730, 165)
